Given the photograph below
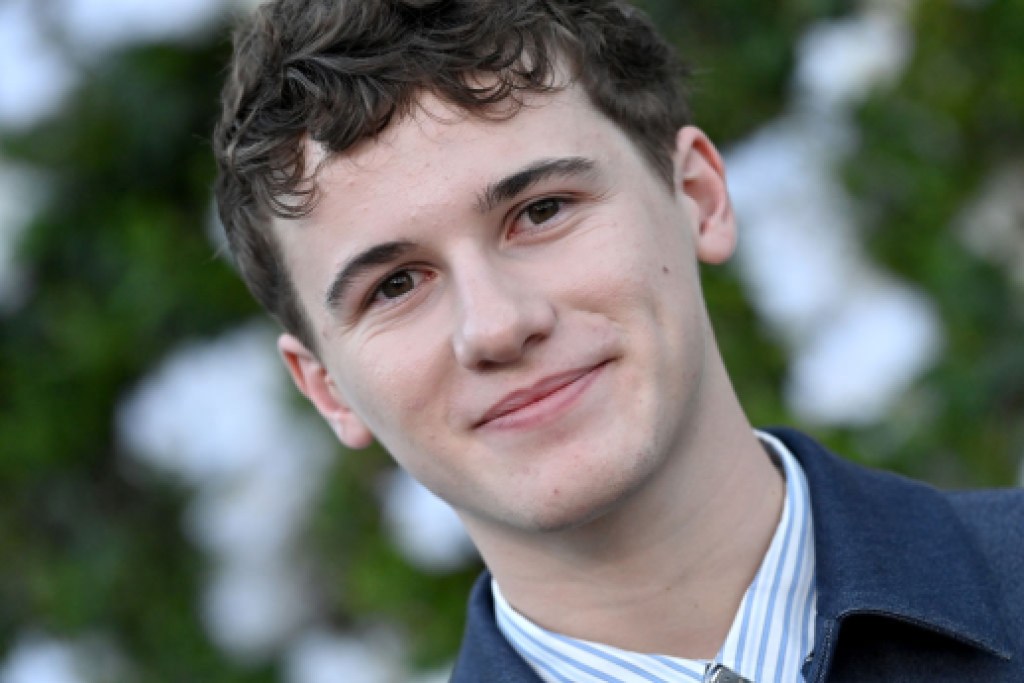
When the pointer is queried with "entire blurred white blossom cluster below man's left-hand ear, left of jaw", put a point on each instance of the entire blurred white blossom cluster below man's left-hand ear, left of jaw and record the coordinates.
(217, 416)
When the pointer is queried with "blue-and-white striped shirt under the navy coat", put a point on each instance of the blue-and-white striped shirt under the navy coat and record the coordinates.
(771, 637)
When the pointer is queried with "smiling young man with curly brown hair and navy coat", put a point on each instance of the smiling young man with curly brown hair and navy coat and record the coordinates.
(481, 225)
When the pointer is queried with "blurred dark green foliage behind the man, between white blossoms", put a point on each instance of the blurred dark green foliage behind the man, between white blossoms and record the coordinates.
(123, 272)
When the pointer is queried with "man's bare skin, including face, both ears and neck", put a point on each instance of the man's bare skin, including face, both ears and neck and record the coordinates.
(633, 505)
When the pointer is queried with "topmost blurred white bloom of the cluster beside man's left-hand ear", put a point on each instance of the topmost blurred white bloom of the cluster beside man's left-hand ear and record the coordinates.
(216, 411)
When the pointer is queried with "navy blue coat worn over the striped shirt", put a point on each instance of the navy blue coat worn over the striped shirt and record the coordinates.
(914, 584)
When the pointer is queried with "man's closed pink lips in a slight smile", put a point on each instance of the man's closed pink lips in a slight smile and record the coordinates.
(542, 401)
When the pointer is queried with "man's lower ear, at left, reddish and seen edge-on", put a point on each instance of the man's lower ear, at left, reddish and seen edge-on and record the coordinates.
(313, 379)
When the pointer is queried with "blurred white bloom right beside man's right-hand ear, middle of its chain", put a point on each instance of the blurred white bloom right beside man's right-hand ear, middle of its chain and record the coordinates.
(798, 249)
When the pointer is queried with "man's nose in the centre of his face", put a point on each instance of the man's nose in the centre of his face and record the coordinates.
(501, 317)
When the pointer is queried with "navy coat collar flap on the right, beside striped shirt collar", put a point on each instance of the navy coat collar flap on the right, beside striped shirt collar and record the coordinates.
(891, 547)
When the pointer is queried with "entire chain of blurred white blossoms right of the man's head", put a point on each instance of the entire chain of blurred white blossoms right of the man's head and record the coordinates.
(857, 337)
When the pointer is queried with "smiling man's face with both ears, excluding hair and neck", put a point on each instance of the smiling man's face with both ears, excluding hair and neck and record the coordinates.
(511, 308)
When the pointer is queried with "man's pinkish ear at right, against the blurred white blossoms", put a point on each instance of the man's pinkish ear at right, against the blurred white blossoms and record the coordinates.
(701, 178)
